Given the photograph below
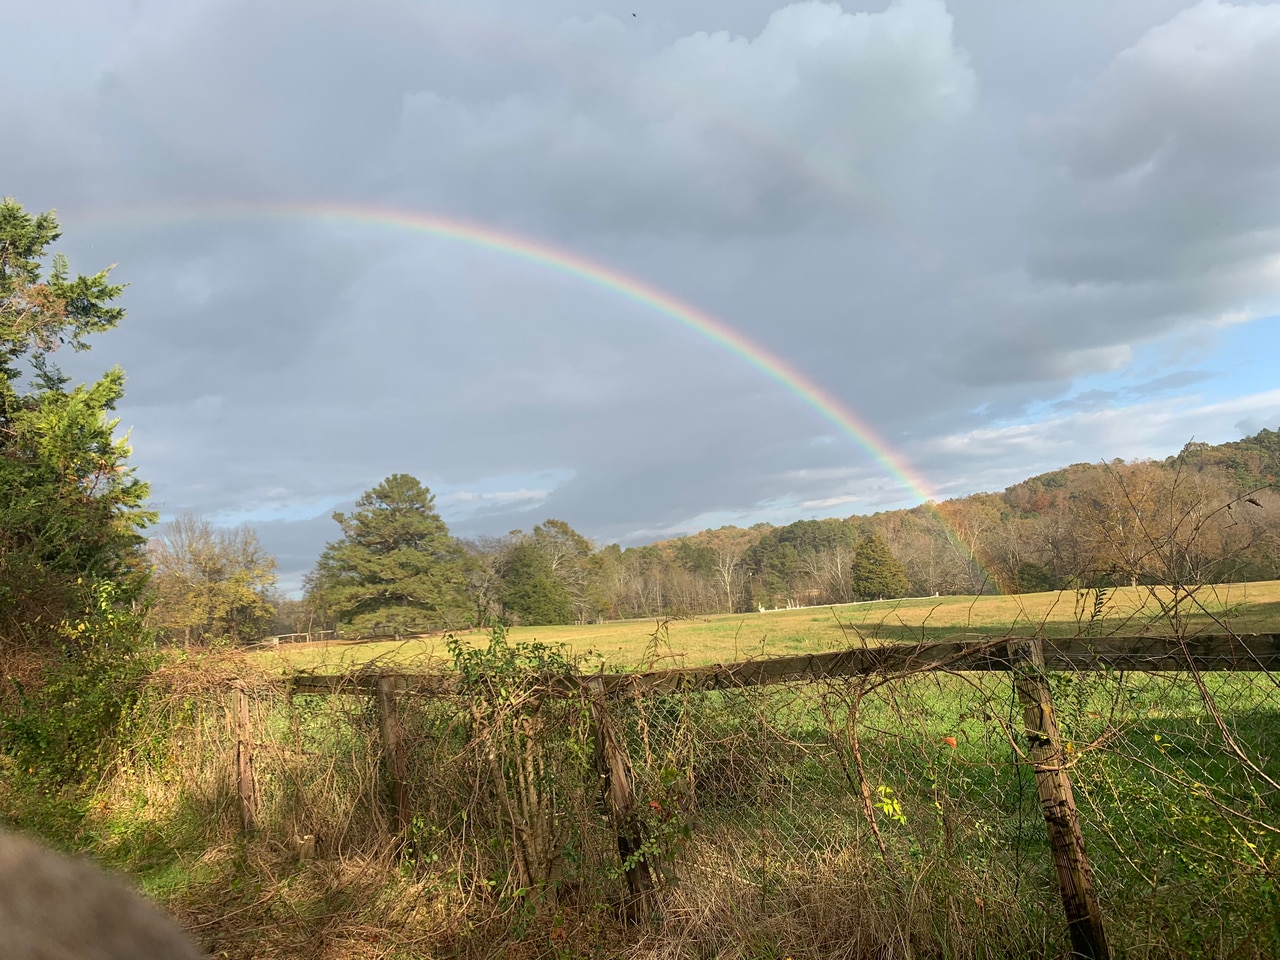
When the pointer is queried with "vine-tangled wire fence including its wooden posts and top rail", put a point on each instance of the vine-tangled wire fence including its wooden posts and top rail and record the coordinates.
(895, 802)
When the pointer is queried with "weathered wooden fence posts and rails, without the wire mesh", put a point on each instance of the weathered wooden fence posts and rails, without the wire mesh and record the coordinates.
(1028, 659)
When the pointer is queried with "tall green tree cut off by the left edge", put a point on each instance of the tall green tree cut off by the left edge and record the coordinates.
(71, 509)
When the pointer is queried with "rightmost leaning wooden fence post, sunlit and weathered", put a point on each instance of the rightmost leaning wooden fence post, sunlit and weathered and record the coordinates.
(1058, 802)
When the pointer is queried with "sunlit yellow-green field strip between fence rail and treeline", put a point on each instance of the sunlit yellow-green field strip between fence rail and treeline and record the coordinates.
(728, 638)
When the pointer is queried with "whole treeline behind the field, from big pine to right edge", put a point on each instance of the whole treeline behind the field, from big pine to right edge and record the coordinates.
(1209, 515)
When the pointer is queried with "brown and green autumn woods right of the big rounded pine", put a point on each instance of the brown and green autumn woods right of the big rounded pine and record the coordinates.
(1071, 528)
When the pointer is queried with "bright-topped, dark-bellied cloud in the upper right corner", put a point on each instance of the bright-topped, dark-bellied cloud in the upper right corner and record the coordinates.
(1171, 167)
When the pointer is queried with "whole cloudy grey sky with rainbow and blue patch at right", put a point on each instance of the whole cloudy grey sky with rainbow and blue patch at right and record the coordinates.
(652, 267)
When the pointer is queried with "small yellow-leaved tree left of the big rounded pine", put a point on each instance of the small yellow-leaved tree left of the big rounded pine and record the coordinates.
(209, 584)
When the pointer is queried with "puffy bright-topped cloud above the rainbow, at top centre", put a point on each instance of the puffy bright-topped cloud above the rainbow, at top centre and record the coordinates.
(711, 134)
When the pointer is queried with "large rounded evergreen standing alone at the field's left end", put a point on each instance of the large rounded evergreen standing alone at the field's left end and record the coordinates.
(396, 566)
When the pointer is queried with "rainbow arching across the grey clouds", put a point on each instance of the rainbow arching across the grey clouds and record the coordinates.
(582, 269)
